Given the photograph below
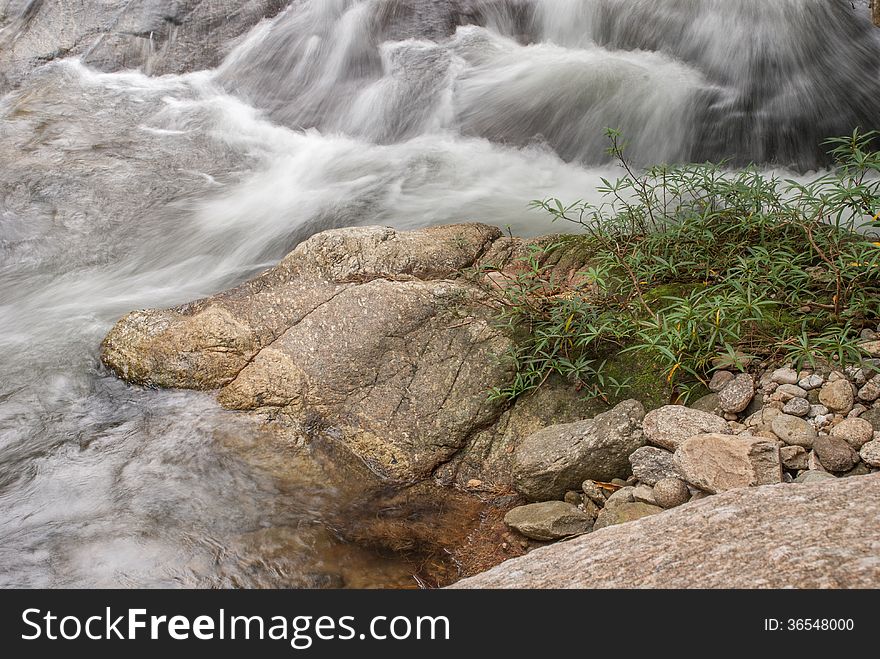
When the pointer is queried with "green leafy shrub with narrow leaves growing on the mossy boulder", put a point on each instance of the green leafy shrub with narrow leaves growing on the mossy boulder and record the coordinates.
(696, 266)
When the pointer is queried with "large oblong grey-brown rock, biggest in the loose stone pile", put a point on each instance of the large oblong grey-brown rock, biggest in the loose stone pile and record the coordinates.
(559, 458)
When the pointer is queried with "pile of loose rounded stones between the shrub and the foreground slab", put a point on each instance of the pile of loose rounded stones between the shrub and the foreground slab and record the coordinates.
(780, 426)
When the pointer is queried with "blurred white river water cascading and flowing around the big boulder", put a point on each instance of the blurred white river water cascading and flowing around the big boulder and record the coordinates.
(121, 191)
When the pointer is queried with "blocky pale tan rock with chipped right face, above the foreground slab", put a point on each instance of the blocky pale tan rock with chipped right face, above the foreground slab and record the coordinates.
(717, 463)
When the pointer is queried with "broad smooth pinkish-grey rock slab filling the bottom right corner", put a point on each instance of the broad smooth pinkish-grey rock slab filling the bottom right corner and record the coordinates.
(822, 535)
